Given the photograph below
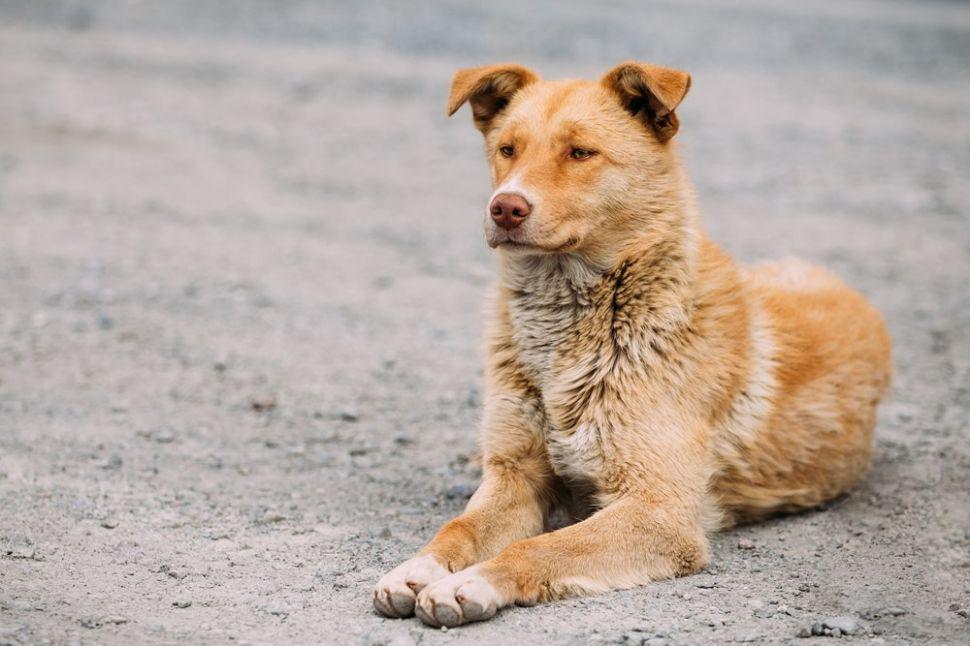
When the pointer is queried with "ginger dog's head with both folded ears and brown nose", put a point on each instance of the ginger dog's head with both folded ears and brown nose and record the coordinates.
(574, 163)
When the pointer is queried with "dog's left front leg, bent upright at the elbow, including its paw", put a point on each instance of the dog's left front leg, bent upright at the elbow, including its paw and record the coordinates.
(511, 504)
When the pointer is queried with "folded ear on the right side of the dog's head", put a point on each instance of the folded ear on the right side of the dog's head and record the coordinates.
(650, 93)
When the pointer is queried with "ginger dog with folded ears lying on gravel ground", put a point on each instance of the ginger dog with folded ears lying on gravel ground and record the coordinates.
(636, 376)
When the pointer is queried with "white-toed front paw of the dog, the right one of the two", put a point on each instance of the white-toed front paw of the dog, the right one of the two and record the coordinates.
(458, 599)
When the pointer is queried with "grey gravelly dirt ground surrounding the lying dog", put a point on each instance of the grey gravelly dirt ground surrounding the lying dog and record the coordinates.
(241, 289)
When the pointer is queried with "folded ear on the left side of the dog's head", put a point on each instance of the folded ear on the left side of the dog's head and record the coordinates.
(488, 90)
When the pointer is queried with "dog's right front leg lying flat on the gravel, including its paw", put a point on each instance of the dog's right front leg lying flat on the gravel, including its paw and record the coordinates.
(635, 540)
